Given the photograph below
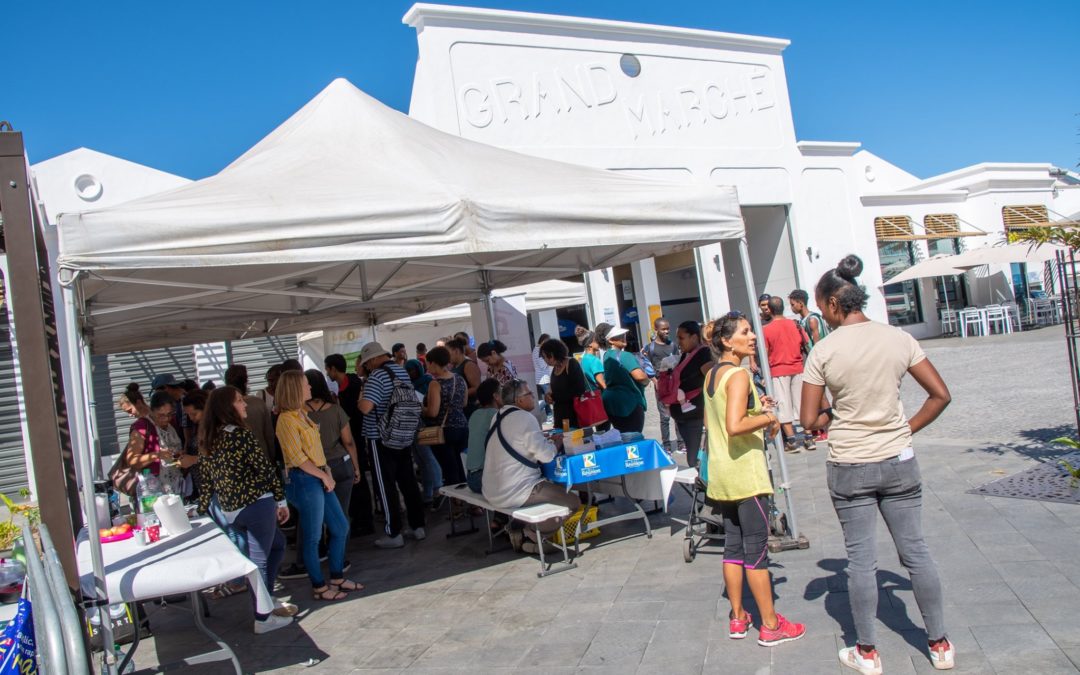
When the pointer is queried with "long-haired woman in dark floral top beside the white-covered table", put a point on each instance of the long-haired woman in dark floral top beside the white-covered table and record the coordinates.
(237, 474)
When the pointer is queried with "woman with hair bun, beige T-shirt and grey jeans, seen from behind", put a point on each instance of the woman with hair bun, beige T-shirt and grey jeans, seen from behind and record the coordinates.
(871, 466)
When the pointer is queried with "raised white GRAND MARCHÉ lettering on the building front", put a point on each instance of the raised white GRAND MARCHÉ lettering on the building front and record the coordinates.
(745, 91)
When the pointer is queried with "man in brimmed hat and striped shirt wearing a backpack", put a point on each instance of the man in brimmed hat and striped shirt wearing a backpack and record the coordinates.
(393, 467)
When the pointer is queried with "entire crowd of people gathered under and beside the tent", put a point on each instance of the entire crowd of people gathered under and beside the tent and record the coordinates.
(301, 451)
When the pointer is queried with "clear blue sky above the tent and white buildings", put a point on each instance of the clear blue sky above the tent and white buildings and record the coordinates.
(188, 87)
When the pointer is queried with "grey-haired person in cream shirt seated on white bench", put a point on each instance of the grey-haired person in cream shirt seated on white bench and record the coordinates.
(515, 451)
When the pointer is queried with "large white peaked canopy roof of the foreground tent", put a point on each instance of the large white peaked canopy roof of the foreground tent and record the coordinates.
(350, 213)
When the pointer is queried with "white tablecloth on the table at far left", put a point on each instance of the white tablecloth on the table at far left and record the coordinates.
(175, 565)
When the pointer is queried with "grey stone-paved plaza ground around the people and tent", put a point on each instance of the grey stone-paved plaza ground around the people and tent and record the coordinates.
(1010, 569)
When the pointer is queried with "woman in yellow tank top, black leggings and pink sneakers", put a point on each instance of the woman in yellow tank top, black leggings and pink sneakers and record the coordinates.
(739, 480)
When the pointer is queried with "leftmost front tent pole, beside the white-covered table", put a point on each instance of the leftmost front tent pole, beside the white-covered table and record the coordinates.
(87, 471)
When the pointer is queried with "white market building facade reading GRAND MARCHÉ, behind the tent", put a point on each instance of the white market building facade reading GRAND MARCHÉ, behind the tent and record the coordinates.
(710, 107)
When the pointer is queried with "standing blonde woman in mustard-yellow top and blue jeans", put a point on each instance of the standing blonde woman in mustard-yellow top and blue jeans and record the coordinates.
(310, 488)
